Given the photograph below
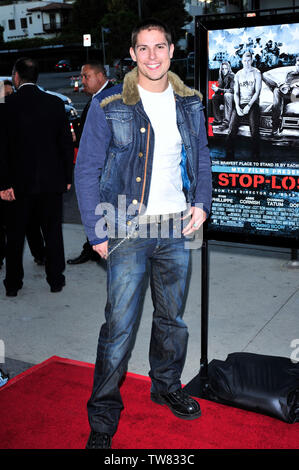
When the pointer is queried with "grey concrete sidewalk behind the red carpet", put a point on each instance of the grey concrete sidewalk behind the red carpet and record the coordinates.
(254, 307)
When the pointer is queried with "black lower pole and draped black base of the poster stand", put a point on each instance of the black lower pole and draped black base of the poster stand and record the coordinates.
(264, 384)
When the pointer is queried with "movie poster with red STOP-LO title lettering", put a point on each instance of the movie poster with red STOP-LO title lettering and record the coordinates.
(253, 128)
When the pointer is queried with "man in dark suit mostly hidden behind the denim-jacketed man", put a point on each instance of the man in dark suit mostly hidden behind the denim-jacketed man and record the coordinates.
(95, 81)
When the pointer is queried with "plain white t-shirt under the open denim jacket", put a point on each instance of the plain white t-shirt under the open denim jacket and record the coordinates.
(166, 190)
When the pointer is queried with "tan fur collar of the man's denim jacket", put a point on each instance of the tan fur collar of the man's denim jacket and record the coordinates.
(130, 94)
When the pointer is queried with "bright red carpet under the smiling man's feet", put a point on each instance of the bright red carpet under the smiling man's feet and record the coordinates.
(45, 408)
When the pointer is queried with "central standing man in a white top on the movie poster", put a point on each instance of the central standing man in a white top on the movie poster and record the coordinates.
(247, 88)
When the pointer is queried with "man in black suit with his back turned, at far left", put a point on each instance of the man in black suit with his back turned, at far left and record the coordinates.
(36, 168)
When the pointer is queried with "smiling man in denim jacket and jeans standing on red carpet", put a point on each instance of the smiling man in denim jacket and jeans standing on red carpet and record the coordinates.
(143, 164)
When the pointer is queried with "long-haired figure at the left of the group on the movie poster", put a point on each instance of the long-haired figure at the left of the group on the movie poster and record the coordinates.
(224, 95)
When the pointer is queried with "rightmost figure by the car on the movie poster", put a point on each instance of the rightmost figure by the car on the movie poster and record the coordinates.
(283, 94)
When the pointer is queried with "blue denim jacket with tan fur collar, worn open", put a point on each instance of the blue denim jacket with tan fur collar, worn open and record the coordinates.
(114, 163)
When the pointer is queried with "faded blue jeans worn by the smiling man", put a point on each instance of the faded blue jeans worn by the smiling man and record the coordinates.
(166, 261)
